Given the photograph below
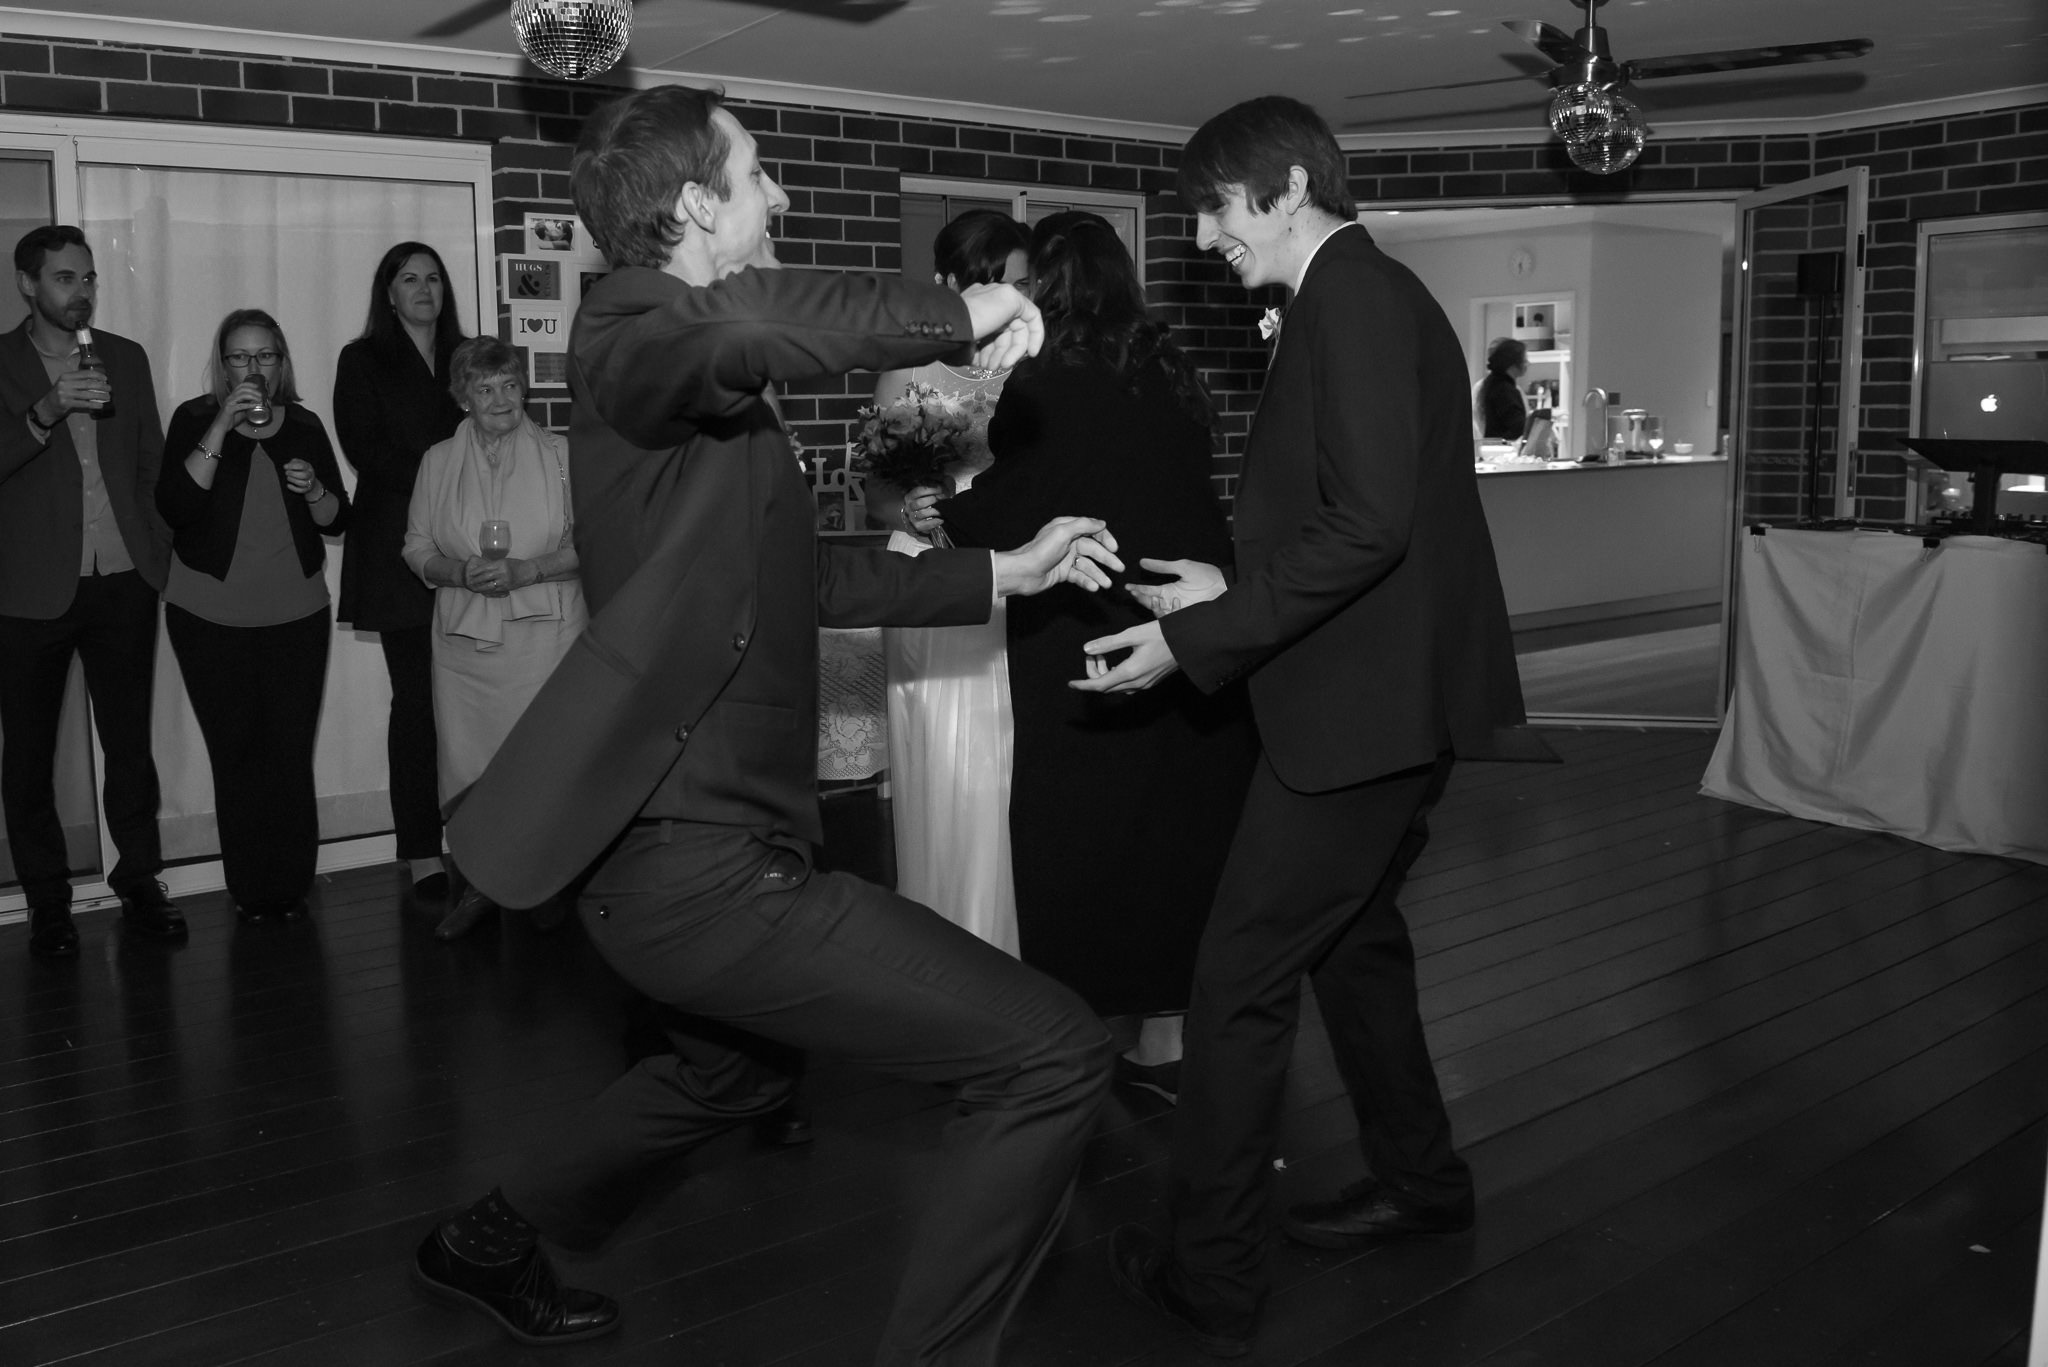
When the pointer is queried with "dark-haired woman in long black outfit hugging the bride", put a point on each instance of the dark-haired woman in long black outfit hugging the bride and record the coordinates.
(1121, 809)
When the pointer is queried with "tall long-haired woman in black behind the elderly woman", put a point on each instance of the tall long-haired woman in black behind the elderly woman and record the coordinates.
(390, 405)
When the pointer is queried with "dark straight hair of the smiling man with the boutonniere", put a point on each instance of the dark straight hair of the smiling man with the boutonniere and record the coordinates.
(1252, 147)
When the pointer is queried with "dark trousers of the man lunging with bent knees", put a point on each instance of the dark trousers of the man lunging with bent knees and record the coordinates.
(718, 923)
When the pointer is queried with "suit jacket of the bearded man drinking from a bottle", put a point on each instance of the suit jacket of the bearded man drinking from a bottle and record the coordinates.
(42, 491)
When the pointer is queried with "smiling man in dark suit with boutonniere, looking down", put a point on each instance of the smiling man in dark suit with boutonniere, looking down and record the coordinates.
(1369, 622)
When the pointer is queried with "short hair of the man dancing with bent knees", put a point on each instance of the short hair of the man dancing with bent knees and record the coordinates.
(632, 163)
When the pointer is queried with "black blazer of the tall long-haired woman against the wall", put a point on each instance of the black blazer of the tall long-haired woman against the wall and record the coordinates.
(388, 411)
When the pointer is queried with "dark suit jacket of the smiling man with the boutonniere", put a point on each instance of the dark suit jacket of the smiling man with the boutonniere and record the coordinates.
(1367, 608)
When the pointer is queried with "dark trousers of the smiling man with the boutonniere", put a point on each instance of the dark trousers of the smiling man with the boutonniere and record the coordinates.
(1310, 888)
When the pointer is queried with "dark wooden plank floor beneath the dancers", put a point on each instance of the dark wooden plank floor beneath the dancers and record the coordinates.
(1740, 1091)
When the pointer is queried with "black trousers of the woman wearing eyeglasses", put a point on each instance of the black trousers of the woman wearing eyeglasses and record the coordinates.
(257, 698)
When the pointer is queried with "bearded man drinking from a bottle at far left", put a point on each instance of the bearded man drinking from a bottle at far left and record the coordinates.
(83, 561)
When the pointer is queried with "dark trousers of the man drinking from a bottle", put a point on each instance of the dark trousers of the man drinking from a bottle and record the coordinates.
(112, 626)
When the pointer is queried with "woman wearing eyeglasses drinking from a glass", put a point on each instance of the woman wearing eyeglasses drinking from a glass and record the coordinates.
(251, 489)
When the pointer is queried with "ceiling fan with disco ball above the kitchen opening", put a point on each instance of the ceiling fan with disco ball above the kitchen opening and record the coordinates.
(1601, 126)
